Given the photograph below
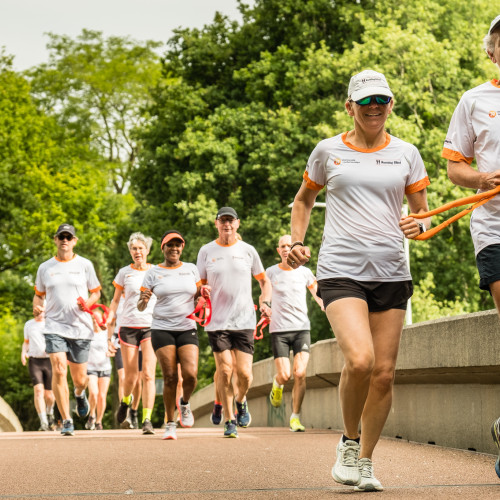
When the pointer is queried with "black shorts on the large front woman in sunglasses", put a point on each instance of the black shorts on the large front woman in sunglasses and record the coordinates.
(379, 295)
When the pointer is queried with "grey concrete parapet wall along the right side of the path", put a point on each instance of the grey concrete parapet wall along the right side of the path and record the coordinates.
(447, 389)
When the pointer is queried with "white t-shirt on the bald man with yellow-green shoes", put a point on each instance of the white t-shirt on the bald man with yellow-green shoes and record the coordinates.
(289, 306)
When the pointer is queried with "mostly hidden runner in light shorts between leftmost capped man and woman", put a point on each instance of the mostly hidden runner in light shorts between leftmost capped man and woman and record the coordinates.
(99, 372)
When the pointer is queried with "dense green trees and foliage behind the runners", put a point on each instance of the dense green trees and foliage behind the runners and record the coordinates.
(113, 139)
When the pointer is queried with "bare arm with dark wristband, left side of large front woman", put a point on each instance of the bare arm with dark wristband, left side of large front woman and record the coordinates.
(301, 214)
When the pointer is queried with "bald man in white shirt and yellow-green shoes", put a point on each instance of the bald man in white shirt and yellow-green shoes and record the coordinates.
(290, 328)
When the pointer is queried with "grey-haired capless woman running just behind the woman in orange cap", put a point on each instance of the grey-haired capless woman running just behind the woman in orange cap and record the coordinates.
(135, 331)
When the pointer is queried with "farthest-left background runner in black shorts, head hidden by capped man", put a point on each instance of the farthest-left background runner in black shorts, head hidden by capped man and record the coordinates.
(40, 370)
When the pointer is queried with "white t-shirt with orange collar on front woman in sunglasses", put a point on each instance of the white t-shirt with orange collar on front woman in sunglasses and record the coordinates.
(364, 196)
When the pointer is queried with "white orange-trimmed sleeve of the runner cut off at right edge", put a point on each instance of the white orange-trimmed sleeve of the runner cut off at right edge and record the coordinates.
(459, 142)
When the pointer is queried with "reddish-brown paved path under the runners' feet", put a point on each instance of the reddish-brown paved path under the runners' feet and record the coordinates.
(264, 463)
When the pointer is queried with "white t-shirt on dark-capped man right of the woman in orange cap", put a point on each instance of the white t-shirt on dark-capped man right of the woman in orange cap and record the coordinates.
(228, 269)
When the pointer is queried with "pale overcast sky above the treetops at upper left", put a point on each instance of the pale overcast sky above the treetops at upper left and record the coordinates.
(24, 22)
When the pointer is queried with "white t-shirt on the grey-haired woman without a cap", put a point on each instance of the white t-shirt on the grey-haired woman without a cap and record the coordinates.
(130, 280)
